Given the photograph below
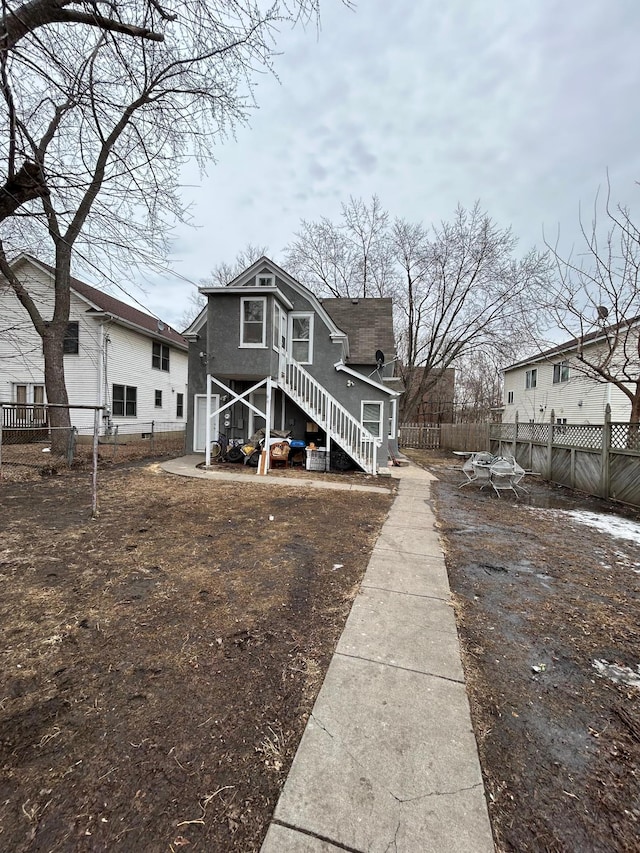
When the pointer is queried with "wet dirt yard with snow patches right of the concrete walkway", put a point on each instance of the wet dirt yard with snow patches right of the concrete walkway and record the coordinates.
(549, 618)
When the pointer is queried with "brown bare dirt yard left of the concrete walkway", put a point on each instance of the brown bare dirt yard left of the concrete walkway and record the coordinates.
(159, 663)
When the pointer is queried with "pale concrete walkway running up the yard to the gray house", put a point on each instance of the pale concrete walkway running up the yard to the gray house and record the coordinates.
(388, 762)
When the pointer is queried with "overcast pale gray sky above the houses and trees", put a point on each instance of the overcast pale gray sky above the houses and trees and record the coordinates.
(522, 104)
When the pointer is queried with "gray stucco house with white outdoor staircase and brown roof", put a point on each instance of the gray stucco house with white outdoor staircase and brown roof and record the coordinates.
(322, 369)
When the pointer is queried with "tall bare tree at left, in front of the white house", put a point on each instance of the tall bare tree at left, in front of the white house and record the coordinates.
(102, 117)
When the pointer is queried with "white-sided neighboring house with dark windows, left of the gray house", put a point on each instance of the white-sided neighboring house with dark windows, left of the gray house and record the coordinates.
(116, 356)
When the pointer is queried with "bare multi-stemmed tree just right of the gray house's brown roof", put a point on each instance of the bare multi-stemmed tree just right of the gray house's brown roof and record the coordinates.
(463, 295)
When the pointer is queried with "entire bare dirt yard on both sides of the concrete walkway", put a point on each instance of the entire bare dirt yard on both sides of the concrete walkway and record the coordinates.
(160, 662)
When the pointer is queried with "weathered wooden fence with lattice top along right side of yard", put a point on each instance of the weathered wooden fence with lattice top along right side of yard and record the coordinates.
(600, 459)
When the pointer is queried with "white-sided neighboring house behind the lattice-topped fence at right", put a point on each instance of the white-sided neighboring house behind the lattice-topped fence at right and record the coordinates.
(554, 382)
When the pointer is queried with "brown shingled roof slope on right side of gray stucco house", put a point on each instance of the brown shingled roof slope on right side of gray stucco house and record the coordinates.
(368, 323)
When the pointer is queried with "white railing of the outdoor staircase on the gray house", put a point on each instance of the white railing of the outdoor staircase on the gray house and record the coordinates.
(330, 415)
